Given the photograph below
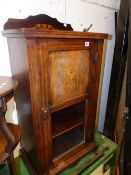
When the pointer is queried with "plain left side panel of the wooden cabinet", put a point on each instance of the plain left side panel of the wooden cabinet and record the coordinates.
(19, 69)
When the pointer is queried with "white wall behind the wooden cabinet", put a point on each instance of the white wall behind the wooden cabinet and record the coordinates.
(79, 13)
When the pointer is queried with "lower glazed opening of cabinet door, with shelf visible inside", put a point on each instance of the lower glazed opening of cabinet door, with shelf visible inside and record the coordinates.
(68, 128)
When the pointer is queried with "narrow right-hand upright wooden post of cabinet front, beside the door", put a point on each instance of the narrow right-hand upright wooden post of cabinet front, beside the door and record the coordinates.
(94, 81)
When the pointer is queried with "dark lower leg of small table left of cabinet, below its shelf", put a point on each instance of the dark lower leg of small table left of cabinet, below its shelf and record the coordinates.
(11, 164)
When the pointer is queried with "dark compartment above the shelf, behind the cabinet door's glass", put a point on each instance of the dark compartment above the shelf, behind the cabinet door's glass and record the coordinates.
(67, 119)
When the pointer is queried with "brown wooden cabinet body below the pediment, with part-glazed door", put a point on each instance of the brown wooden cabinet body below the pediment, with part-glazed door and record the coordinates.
(59, 74)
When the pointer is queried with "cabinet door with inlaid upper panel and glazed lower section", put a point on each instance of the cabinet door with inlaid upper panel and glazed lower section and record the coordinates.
(71, 76)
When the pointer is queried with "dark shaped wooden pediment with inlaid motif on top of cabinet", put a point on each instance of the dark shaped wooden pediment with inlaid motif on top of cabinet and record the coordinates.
(42, 21)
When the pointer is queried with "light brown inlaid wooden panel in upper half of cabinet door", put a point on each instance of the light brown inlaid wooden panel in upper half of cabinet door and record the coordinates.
(68, 75)
